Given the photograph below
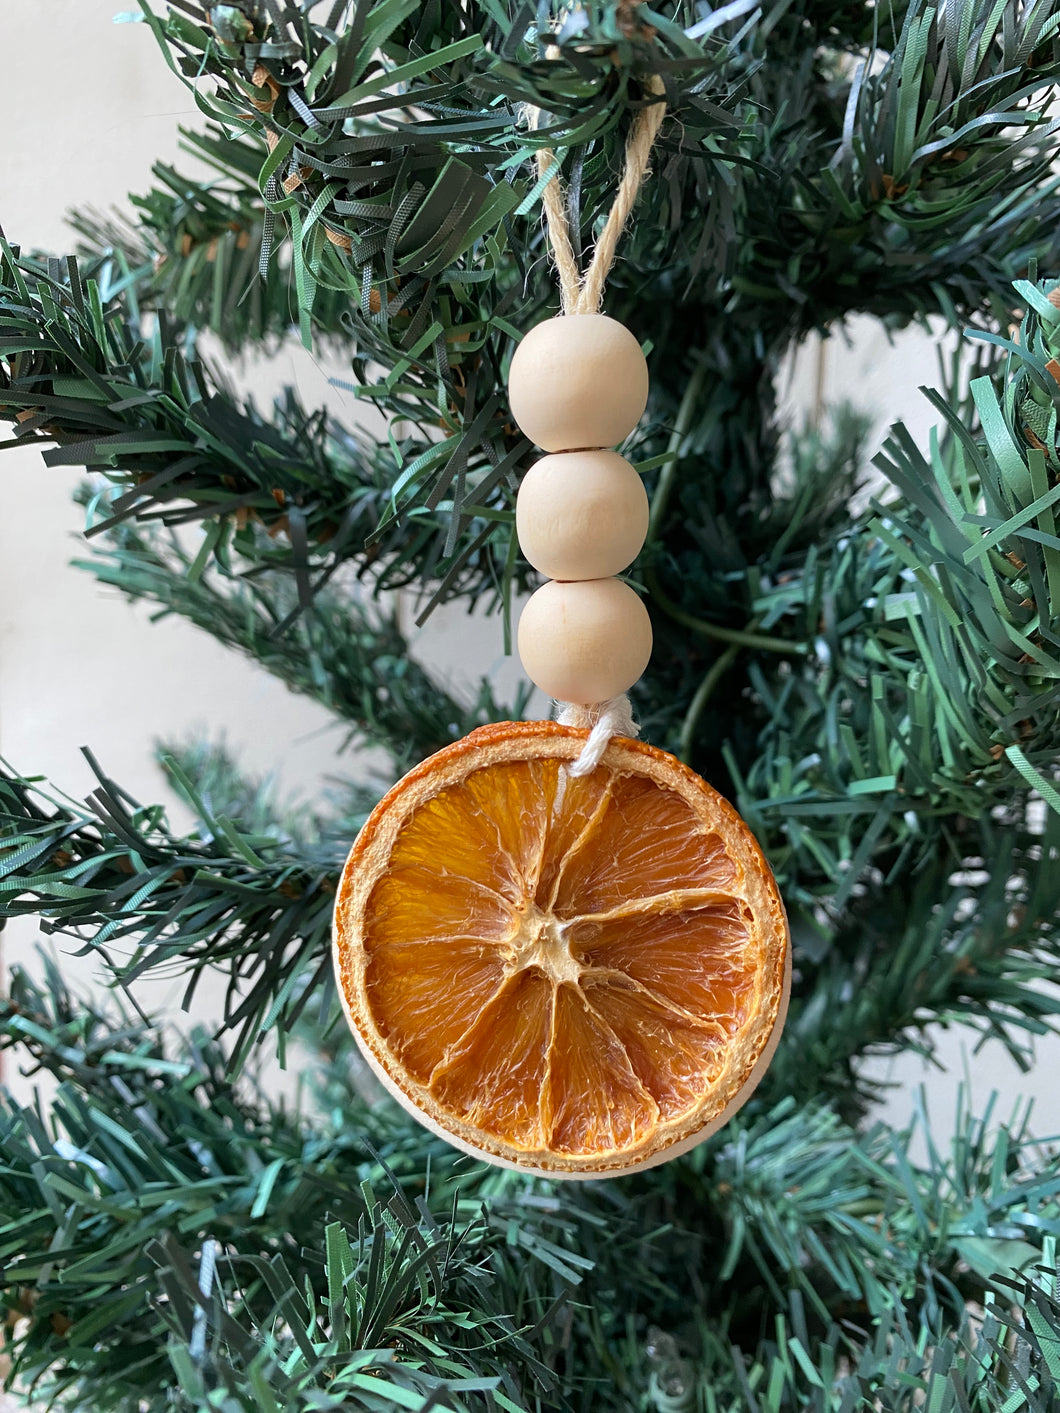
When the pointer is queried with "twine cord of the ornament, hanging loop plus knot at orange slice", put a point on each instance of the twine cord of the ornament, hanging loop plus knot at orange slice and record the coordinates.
(584, 295)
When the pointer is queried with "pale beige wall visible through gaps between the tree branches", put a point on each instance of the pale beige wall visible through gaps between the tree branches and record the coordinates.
(86, 118)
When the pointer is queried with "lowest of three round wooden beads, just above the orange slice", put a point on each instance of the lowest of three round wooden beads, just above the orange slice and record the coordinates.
(584, 642)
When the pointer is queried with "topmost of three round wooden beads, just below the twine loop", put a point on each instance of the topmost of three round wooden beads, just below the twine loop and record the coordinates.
(579, 381)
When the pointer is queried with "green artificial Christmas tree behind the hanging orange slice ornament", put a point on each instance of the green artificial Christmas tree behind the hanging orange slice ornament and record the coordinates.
(874, 679)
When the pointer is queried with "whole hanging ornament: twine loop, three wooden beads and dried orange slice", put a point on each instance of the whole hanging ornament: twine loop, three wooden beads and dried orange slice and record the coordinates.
(558, 947)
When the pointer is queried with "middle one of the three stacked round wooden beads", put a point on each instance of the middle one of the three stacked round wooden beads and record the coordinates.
(582, 515)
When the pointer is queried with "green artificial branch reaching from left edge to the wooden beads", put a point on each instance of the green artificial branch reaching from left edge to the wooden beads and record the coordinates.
(83, 369)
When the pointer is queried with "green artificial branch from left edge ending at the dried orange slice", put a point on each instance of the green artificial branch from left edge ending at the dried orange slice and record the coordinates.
(112, 875)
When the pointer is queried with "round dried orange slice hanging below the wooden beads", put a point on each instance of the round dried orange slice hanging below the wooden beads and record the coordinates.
(573, 976)
